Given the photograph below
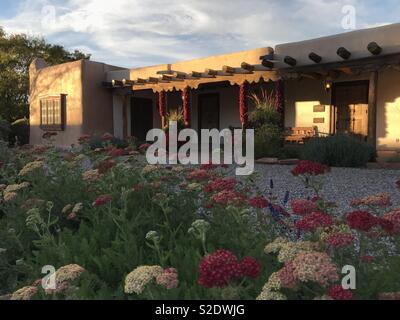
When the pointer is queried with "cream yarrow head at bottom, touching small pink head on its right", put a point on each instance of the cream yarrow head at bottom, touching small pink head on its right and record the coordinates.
(139, 278)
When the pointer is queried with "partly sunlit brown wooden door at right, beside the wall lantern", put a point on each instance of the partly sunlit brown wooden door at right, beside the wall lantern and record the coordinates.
(350, 100)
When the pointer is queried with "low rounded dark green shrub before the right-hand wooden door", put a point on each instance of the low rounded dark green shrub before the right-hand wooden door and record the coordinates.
(339, 151)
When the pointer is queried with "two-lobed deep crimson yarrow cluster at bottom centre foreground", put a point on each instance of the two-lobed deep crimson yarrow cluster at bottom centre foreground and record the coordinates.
(221, 267)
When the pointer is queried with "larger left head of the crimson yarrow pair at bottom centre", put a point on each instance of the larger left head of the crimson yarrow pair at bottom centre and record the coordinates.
(218, 269)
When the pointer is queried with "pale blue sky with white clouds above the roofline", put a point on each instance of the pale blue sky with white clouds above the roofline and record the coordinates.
(133, 33)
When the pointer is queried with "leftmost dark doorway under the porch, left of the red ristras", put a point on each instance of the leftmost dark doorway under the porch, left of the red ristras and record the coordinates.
(141, 117)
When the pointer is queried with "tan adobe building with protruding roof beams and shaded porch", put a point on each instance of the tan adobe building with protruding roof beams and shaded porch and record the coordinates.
(347, 83)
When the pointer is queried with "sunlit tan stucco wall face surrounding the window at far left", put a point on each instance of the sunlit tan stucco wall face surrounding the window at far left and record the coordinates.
(61, 79)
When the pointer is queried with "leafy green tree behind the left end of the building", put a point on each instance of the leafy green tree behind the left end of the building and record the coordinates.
(16, 54)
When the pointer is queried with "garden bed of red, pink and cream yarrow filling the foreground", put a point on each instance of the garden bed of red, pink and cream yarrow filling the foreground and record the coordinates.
(116, 228)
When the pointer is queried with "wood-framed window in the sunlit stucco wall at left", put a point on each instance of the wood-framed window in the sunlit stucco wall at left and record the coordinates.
(52, 113)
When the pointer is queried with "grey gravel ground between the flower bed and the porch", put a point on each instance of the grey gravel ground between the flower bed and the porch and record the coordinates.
(341, 186)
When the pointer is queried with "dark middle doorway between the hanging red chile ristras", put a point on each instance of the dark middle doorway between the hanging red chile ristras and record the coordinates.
(209, 111)
